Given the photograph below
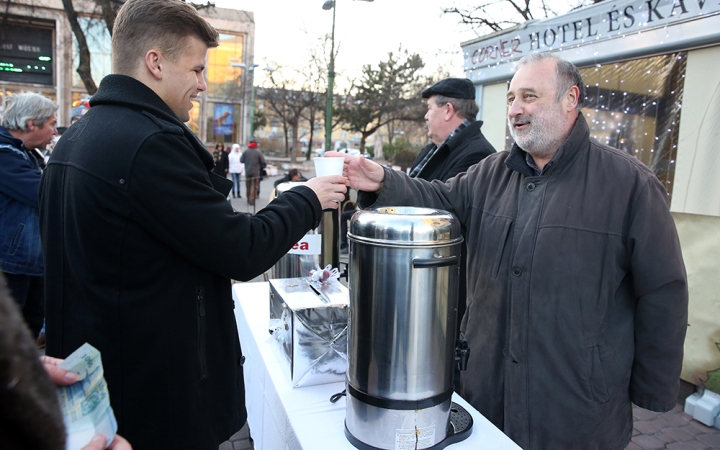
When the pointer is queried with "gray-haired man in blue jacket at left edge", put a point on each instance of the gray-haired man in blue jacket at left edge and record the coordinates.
(28, 124)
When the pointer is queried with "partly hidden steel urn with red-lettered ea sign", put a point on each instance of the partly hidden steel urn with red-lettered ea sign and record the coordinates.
(320, 246)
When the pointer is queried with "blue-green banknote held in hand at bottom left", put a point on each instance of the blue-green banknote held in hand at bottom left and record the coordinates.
(86, 404)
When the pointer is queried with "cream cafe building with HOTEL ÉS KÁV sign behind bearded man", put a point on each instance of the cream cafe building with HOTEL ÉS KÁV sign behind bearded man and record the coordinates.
(652, 73)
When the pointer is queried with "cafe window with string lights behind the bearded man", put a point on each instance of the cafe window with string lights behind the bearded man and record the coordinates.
(635, 106)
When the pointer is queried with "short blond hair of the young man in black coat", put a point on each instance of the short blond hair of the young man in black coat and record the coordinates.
(163, 24)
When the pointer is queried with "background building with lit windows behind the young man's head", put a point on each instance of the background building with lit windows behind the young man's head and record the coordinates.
(39, 53)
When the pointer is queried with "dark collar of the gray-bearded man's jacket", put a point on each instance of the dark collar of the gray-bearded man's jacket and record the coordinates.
(575, 143)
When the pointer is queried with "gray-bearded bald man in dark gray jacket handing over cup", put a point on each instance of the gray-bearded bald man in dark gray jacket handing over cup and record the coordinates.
(577, 291)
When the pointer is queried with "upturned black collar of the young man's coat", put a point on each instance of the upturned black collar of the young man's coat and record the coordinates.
(127, 91)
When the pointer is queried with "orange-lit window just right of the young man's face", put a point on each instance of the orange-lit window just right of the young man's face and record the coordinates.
(223, 80)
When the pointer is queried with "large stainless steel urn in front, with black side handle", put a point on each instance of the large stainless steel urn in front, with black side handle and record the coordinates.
(404, 269)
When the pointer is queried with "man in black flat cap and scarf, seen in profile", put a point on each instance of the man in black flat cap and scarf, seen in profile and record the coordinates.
(457, 143)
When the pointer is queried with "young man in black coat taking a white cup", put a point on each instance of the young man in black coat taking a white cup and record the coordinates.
(141, 245)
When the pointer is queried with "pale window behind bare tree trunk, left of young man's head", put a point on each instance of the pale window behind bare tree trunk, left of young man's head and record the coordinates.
(99, 44)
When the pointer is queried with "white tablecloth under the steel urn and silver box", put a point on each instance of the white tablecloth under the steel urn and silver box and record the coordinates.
(281, 417)
